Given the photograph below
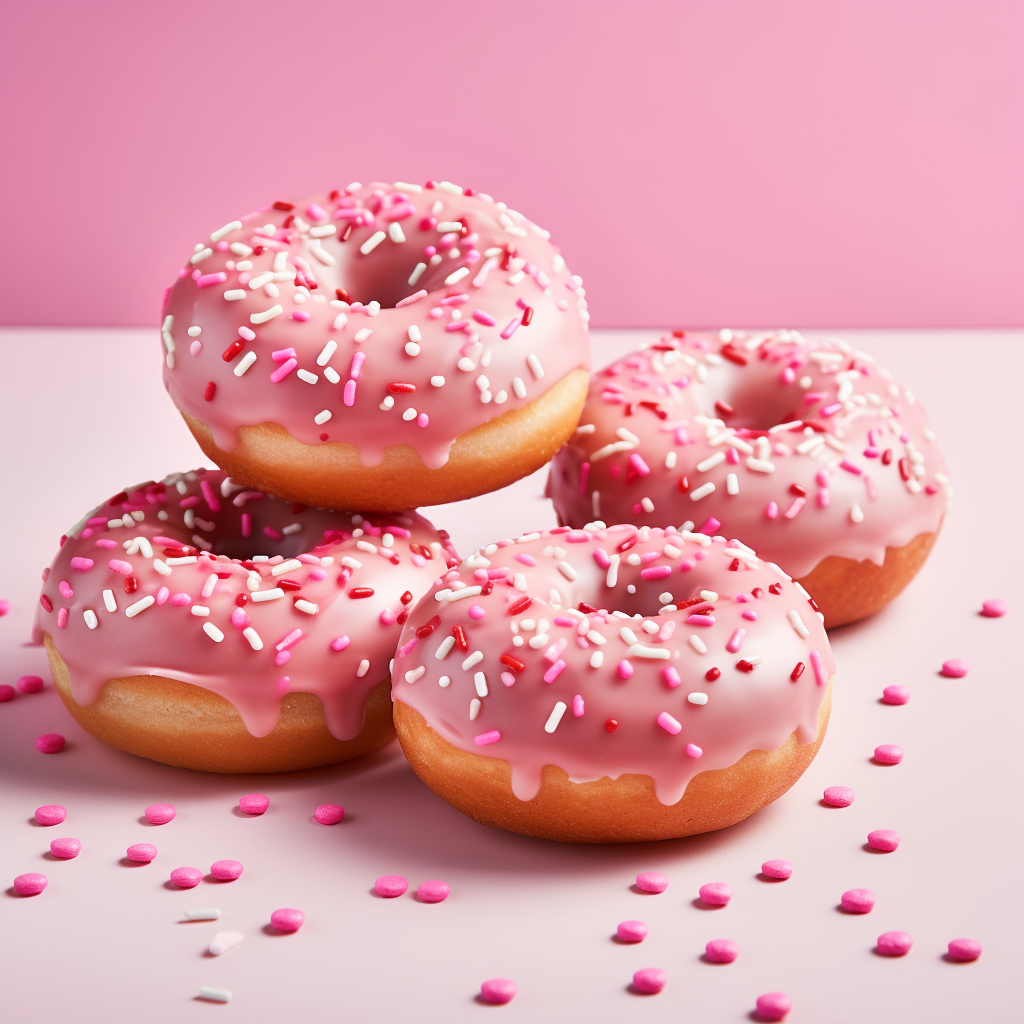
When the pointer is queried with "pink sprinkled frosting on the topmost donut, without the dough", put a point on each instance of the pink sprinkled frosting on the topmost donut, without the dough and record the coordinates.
(381, 315)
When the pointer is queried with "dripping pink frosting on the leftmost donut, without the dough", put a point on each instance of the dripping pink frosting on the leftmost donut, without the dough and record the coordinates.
(184, 564)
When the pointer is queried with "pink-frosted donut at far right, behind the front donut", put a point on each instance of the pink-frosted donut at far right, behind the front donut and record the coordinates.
(805, 450)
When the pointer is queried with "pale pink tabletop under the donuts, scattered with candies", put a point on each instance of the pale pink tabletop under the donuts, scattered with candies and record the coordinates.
(82, 415)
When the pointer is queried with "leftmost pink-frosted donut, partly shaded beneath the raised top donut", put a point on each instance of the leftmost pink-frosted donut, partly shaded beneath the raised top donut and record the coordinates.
(204, 625)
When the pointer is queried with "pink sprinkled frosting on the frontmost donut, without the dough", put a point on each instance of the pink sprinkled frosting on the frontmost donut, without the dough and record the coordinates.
(652, 685)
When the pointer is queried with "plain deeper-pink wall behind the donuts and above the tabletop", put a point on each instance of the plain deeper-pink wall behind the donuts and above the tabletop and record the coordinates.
(794, 162)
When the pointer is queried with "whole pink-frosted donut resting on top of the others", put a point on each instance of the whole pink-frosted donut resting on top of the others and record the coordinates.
(382, 348)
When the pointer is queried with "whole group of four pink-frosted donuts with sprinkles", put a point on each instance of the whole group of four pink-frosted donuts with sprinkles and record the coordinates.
(657, 666)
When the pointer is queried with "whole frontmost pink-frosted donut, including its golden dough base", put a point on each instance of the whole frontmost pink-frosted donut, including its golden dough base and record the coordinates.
(613, 685)
